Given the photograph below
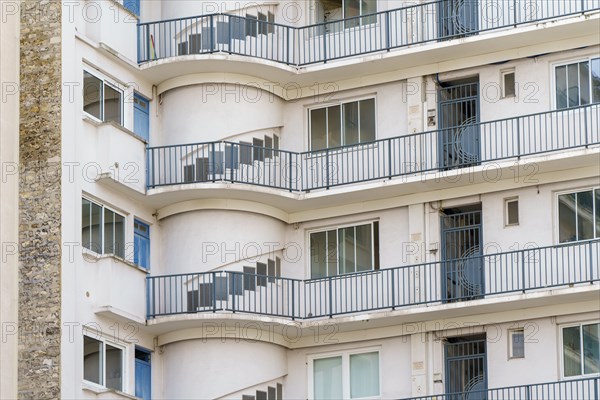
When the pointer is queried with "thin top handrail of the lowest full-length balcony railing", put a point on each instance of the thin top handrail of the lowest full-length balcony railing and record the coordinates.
(401, 267)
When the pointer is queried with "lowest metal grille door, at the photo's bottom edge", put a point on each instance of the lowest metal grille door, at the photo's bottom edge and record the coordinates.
(466, 370)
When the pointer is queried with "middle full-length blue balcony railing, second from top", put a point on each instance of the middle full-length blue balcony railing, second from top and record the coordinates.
(433, 151)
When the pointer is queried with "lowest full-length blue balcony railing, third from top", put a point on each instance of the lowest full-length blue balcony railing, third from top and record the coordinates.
(470, 278)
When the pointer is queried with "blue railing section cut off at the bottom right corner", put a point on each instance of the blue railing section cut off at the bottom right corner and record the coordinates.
(580, 389)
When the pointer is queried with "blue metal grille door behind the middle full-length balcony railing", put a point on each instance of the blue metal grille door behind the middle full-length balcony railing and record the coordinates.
(458, 107)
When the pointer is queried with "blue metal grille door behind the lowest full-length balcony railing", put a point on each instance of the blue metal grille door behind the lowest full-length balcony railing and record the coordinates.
(462, 255)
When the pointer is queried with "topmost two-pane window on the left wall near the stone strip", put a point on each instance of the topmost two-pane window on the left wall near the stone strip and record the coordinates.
(102, 100)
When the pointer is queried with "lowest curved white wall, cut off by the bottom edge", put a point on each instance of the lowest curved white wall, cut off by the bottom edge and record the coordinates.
(213, 368)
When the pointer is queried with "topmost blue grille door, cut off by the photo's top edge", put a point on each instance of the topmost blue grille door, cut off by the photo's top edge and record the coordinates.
(458, 18)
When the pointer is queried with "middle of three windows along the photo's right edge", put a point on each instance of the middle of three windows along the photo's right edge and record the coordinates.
(579, 215)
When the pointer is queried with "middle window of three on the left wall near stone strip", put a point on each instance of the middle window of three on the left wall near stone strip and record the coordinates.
(102, 229)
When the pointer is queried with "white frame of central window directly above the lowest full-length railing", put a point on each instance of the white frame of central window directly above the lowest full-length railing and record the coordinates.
(375, 246)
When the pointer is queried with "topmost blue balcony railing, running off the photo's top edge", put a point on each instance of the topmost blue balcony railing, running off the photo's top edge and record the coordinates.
(319, 43)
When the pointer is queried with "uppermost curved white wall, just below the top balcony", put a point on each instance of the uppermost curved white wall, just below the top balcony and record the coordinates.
(216, 111)
